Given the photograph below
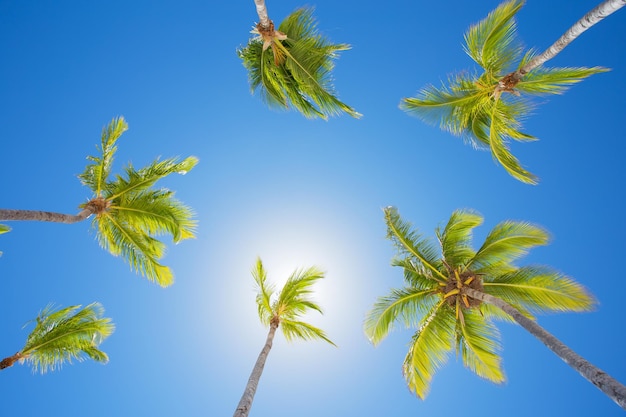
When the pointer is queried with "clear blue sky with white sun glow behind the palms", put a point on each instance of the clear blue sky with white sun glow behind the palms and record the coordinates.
(295, 192)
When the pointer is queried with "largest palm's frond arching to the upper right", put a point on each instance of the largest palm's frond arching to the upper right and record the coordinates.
(506, 242)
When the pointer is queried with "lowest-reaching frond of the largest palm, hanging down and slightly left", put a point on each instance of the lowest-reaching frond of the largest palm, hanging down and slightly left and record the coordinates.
(429, 349)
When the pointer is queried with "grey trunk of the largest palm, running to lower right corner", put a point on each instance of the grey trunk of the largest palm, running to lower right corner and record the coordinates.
(607, 384)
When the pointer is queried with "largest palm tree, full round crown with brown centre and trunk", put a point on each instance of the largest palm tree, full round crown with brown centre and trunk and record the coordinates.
(453, 298)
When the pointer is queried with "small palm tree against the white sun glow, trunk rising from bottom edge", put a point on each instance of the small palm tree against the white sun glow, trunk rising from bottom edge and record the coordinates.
(283, 309)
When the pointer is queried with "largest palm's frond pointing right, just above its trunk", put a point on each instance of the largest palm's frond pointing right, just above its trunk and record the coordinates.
(540, 289)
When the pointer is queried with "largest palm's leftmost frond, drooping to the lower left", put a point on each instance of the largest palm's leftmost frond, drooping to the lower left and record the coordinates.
(407, 305)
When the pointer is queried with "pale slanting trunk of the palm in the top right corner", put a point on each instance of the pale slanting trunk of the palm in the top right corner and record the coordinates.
(591, 18)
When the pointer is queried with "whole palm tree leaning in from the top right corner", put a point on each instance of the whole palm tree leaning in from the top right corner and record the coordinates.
(476, 107)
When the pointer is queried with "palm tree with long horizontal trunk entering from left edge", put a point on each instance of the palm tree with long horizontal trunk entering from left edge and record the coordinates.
(129, 212)
